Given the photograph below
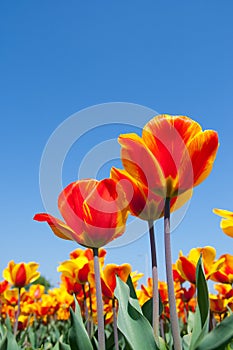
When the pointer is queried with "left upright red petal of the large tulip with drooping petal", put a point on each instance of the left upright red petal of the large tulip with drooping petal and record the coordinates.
(70, 203)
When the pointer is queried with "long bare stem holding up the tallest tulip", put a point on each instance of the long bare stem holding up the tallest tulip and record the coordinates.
(170, 283)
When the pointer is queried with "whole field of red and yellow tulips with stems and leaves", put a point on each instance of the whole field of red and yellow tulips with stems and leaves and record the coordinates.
(105, 306)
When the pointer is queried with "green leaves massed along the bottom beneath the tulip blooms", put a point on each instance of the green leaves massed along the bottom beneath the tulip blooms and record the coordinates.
(134, 327)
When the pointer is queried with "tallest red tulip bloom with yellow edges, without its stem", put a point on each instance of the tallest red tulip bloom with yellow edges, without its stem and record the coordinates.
(173, 155)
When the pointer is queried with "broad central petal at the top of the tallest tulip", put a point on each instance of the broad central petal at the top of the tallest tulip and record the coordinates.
(166, 136)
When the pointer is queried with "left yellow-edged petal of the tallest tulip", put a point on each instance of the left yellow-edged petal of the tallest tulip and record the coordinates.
(140, 163)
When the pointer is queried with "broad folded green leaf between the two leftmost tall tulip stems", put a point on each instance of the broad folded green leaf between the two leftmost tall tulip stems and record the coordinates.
(132, 324)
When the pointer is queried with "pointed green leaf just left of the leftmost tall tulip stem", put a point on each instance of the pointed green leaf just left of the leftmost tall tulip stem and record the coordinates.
(78, 337)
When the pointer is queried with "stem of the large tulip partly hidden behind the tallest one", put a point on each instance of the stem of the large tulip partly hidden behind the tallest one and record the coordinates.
(155, 311)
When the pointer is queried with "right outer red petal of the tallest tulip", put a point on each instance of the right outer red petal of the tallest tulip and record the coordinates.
(202, 150)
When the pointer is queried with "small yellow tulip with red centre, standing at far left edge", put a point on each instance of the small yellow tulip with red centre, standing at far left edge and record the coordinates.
(21, 274)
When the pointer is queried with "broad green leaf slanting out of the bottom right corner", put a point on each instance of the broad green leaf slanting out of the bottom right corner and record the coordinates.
(219, 337)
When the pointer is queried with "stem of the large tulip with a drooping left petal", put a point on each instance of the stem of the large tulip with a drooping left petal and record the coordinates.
(100, 311)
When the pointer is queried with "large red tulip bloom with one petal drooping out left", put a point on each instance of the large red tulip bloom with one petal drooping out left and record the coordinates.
(95, 212)
